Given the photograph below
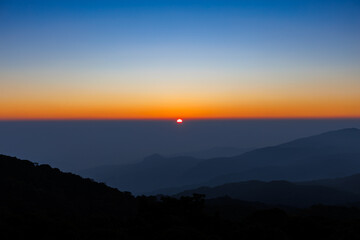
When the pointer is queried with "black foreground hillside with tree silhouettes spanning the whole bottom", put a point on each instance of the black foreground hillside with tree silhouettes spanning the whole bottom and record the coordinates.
(40, 202)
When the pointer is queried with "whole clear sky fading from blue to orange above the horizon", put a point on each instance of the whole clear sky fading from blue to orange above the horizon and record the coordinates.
(169, 59)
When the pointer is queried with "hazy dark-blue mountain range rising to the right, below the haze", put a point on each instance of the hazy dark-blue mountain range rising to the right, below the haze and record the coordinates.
(328, 155)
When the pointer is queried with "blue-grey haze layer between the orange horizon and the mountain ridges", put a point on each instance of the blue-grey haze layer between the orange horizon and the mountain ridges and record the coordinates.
(75, 145)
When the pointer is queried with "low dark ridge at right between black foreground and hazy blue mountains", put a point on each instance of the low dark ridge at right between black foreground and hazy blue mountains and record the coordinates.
(277, 192)
